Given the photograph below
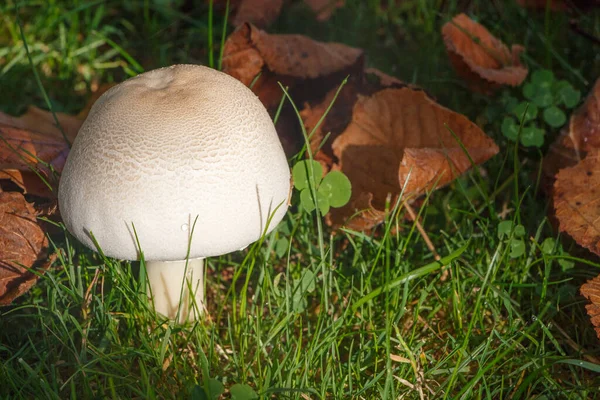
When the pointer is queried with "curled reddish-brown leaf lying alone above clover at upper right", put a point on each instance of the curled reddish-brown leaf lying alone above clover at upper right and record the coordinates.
(479, 58)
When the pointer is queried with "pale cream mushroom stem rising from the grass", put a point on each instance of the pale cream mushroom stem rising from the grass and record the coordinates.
(165, 279)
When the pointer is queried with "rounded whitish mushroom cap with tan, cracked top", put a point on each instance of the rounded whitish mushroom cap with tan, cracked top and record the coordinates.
(185, 154)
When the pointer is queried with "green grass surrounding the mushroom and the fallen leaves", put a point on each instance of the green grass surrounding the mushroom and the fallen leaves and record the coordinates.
(311, 313)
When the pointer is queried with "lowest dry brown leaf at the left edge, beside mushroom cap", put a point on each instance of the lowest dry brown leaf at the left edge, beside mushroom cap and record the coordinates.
(23, 244)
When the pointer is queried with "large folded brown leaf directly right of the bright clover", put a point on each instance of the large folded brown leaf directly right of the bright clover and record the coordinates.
(399, 138)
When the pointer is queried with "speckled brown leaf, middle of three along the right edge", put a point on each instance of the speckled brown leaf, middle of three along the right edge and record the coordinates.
(577, 201)
